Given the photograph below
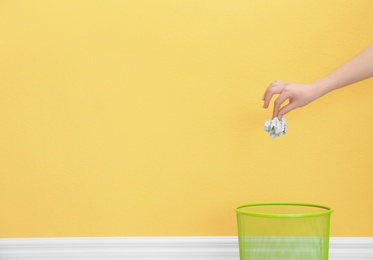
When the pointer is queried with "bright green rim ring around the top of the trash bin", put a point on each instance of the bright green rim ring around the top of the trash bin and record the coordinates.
(327, 211)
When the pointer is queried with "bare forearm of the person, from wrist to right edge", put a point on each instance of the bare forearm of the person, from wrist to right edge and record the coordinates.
(358, 68)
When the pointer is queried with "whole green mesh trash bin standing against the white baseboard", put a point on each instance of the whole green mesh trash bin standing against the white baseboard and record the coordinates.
(283, 231)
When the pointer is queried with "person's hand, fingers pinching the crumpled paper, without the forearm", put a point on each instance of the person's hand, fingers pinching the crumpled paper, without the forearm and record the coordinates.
(298, 95)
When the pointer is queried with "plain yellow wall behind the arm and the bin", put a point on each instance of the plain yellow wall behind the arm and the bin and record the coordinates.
(144, 118)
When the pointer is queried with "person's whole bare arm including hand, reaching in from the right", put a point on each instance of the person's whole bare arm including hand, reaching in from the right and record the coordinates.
(358, 68)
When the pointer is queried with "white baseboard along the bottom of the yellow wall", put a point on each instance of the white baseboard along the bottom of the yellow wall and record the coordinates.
(156, 248)
